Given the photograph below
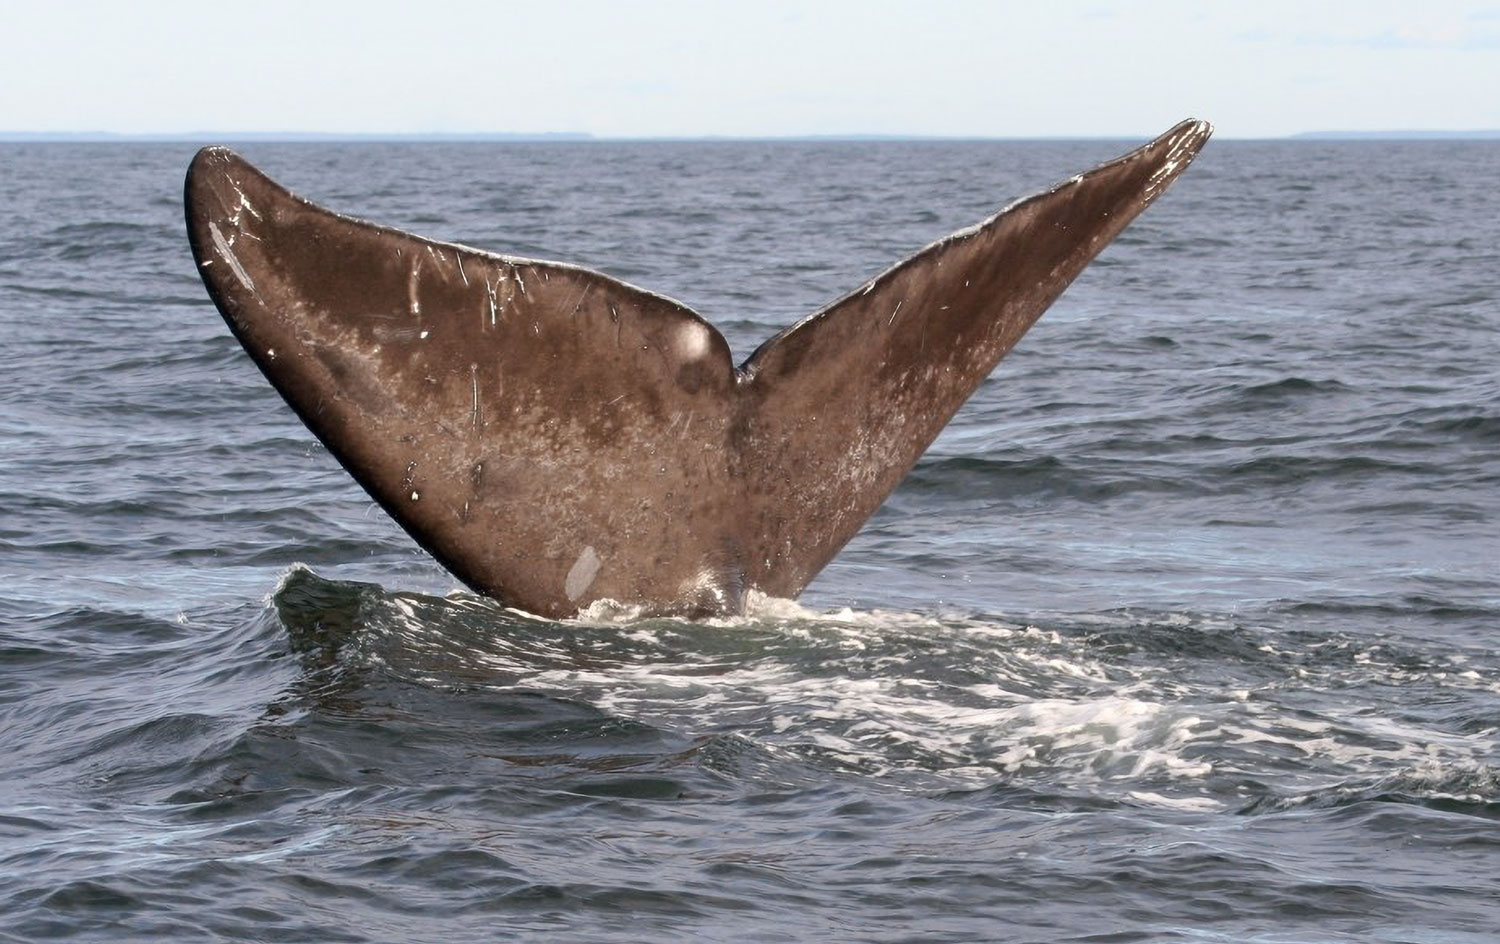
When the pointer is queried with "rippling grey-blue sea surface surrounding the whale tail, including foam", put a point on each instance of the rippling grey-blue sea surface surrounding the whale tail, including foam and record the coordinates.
(1186, 630)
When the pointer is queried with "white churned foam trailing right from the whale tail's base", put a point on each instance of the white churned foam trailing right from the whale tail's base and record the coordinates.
(949, 702)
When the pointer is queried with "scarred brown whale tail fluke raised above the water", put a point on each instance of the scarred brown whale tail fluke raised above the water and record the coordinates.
(556, 437)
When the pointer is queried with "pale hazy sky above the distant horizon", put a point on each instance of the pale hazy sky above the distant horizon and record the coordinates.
(676, 68)
